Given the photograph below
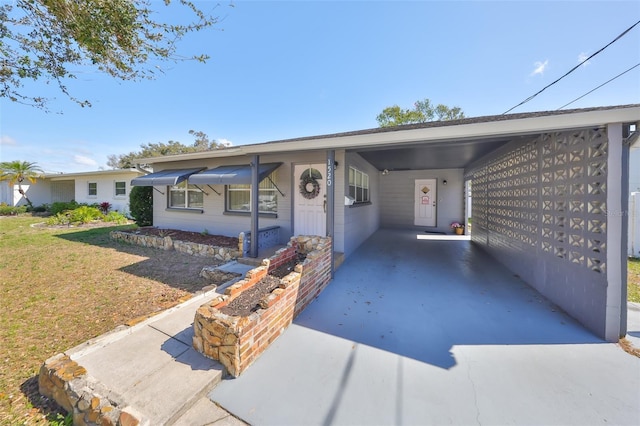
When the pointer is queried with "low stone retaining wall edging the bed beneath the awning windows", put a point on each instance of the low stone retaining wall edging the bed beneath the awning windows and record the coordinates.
(167, 243)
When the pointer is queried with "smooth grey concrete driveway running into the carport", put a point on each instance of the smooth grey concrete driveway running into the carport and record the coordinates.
(420, 331)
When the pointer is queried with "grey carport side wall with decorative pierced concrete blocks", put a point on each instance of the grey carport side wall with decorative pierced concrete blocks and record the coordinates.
(540, 207)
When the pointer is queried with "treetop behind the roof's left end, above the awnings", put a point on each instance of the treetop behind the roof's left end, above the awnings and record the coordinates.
(202, 143)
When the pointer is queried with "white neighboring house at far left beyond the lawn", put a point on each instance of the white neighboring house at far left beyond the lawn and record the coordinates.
(112, 186)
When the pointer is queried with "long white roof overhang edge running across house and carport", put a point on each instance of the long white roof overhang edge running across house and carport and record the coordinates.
(490, 128)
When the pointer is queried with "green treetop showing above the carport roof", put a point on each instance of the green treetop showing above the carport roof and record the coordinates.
(422, 112)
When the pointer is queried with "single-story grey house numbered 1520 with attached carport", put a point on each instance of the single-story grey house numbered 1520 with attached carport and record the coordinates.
(548, 192)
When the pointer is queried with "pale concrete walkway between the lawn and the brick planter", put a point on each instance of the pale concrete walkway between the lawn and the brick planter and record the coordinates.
(153, 367)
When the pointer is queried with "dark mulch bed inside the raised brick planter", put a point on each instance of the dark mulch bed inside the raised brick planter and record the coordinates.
(247, 302)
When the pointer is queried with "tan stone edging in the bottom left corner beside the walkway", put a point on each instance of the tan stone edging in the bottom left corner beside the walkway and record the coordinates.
(68, 383)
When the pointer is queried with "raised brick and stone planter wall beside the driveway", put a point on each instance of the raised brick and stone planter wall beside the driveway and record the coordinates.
(237, 341)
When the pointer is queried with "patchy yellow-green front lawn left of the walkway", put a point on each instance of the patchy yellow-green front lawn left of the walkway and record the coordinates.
(62, 286)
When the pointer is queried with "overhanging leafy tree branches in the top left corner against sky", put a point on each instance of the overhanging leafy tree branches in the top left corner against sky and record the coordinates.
(51, 39)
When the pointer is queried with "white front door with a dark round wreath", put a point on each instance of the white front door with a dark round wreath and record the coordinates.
(310, 200)
